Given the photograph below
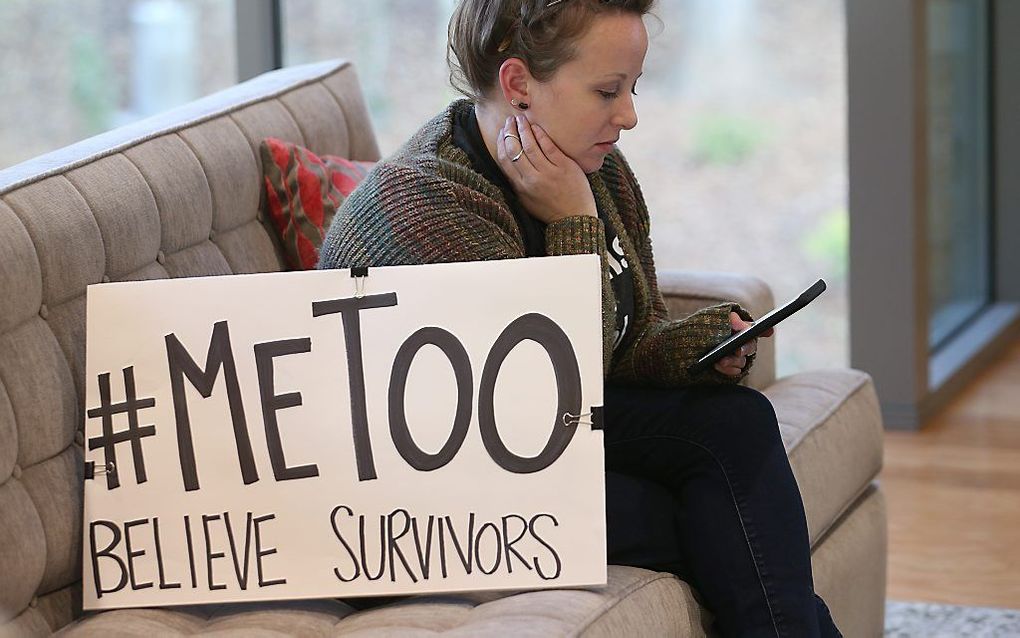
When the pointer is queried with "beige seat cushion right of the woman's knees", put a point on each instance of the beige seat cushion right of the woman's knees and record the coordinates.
(833, 429)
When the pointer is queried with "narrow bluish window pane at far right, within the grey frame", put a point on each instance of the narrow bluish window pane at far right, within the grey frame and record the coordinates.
(959, 212)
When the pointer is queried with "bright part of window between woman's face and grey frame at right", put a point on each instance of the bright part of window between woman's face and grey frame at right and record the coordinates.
(742, 154)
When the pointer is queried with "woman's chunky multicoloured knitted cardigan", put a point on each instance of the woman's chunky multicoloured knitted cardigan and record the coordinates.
(427, 205)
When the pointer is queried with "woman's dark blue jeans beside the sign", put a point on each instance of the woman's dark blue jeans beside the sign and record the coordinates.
(699, 484)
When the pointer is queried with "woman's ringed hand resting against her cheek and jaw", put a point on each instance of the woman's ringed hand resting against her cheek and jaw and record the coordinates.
(550, 185)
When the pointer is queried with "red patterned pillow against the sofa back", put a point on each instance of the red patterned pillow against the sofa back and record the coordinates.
(303, 192)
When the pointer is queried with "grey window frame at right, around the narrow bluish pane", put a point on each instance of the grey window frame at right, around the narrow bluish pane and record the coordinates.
(888, 164)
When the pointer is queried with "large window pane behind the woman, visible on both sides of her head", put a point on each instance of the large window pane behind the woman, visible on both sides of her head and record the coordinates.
(741, 151)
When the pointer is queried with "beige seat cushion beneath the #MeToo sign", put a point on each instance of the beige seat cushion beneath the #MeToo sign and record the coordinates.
(635, 603)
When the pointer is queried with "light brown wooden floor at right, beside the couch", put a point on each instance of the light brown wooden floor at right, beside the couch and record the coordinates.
(953, 493)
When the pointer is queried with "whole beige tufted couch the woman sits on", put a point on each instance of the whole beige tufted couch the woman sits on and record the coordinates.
(179, 197)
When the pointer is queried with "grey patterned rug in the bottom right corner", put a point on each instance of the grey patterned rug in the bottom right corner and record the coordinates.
(928, 620)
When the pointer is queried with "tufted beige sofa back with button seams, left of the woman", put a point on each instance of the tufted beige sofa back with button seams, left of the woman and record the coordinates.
(177, 195)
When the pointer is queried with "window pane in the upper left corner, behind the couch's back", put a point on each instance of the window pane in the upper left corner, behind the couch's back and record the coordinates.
(73, 69)
